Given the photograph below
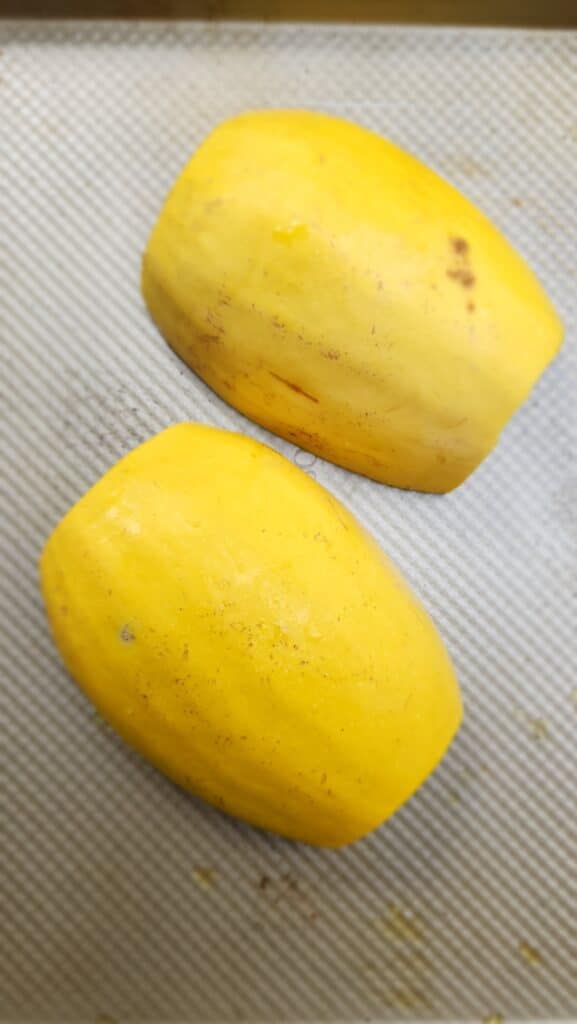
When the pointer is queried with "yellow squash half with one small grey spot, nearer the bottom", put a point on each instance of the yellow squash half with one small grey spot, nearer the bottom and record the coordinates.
(238, 627)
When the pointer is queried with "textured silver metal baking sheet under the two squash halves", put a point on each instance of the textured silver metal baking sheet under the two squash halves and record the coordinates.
(121, 898)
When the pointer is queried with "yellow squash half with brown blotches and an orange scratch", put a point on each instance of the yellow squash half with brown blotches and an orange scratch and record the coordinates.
(338, 291)
